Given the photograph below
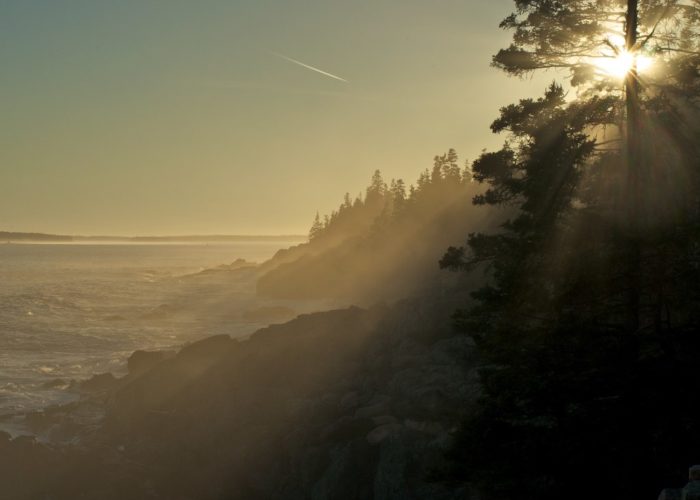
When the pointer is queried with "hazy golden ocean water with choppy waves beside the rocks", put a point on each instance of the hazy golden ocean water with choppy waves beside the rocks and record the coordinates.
(68, 311)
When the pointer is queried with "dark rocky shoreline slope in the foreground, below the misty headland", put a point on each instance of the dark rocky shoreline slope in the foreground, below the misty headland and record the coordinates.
(346, 404)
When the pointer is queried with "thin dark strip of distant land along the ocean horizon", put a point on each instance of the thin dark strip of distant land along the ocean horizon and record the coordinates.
(16, 237)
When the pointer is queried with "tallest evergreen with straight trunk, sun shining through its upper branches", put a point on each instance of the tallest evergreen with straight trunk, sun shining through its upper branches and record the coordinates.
(651, 182)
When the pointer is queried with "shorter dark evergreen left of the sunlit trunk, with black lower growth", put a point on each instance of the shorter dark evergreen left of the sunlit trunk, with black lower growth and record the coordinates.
(566, 383)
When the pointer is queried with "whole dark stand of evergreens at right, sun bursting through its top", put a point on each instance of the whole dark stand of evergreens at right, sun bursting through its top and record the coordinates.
(589, 328)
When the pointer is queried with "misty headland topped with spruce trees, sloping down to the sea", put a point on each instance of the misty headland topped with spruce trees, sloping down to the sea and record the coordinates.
(384, 245)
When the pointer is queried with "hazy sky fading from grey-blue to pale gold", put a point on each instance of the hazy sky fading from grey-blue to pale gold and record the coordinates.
(181, 117)
